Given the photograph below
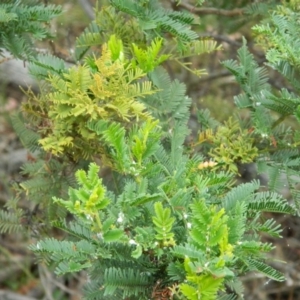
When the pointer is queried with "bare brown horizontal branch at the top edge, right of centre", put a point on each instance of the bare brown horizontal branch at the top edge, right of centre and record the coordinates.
(211, 10)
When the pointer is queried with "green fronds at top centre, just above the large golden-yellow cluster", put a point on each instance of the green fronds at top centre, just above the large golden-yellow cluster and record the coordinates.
(112, 20)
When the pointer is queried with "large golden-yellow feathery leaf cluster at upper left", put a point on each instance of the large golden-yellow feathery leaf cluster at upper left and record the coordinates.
(105, 88)
